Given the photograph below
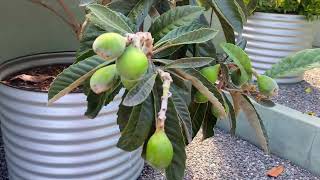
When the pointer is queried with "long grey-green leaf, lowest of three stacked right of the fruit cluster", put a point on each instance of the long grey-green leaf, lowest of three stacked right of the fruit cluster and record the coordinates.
(197, 36)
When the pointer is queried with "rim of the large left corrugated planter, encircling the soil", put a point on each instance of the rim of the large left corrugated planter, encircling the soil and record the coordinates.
(34, 57)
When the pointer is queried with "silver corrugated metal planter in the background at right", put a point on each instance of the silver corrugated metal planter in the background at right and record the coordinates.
(274, 36)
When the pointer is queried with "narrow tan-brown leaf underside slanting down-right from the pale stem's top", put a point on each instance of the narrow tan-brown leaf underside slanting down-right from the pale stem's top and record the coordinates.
(205, 91)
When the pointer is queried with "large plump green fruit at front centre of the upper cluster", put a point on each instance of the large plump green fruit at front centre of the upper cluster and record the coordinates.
(132, 64)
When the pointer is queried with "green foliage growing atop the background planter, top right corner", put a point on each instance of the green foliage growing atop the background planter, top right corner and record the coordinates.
(309, 8)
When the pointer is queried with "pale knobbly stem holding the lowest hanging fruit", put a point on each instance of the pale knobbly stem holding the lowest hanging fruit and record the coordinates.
(166, 94)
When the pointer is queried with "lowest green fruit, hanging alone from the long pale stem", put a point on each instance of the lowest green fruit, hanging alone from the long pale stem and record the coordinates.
(159, 150)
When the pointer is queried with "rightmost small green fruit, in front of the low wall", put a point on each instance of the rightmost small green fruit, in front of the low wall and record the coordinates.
(267, 86)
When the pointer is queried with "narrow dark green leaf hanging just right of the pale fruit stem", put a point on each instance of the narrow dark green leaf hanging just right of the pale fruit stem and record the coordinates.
(182, 111)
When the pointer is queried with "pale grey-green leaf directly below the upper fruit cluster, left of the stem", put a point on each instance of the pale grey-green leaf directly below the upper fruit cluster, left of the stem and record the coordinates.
(141, 91)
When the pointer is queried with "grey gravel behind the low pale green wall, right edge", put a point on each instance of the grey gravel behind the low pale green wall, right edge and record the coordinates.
(296, 96)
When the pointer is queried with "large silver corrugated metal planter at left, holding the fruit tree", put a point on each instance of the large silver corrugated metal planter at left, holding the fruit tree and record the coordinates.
(58, 142)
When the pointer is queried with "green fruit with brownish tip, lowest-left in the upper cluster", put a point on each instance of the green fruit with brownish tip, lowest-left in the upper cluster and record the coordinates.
(103, 79)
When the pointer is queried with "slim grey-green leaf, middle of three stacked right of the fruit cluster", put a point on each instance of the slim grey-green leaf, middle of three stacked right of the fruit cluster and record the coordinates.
(178, 32)
